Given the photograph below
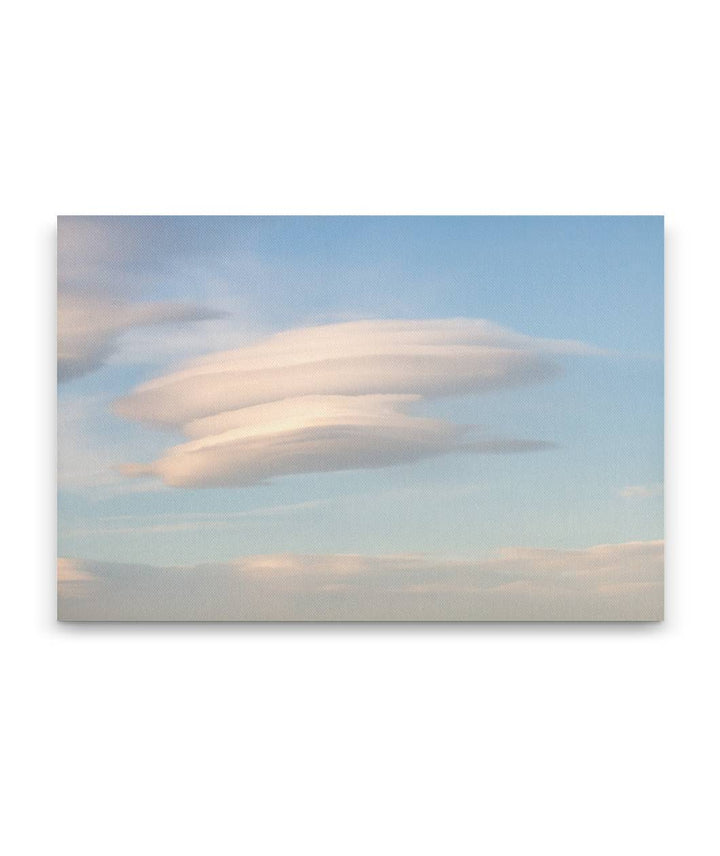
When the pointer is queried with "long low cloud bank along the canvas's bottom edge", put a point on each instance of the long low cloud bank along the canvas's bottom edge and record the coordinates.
(612, 582)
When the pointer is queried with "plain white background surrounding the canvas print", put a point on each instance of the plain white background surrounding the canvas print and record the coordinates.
(351, 739)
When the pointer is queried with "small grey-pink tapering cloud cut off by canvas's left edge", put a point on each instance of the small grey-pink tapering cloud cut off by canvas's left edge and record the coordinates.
(89, 327)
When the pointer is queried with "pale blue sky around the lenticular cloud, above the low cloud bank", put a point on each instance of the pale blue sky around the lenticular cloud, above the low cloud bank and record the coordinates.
(598, 281)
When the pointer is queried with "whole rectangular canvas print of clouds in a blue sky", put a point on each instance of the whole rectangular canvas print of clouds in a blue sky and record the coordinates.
(360, 418)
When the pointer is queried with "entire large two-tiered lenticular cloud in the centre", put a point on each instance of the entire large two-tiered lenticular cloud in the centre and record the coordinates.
(334, 397)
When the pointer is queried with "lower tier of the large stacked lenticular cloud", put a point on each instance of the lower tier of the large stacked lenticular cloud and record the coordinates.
(311, 434)
